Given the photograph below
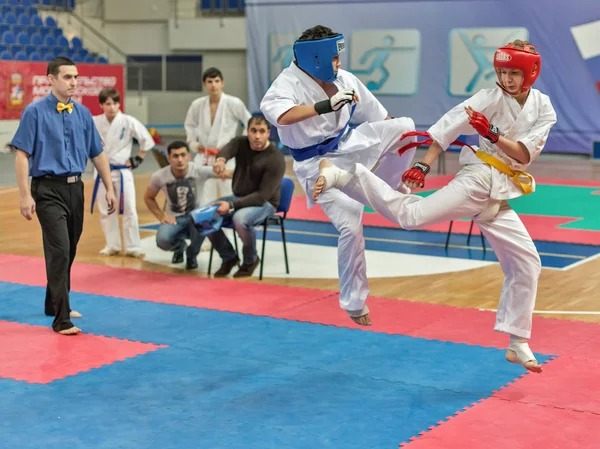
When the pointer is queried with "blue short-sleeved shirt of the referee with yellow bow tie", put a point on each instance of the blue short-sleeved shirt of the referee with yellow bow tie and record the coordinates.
(58, 143)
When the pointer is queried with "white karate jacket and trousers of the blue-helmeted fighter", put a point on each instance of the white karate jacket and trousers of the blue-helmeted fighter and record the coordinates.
(374, 139)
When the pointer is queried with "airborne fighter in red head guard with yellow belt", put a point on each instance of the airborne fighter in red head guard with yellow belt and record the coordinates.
(520, 119)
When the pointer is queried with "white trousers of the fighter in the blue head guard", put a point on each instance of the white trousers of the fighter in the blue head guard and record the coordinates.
(346, 213)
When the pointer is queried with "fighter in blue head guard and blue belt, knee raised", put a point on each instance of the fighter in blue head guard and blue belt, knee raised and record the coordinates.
(312, 103)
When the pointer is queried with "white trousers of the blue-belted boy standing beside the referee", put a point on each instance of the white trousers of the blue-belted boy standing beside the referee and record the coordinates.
(110, 223)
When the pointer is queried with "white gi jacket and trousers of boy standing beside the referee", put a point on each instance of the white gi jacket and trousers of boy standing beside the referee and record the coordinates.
(118, 141)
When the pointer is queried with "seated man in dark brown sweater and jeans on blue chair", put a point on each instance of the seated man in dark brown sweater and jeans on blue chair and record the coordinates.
(259, 169)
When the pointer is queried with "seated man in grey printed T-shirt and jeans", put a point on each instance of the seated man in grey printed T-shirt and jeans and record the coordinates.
(181, 181)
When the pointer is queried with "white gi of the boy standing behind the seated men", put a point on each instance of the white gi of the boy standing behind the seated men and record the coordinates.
(199, 131)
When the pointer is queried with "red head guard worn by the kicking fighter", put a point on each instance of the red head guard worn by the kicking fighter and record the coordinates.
(525, 59)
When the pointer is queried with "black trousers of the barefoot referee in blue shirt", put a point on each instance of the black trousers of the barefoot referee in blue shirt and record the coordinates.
(59, 207)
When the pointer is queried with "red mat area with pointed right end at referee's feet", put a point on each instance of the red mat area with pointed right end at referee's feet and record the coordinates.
(37, 354)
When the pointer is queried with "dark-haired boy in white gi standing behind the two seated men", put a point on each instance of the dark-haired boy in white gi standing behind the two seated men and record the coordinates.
(211, 122)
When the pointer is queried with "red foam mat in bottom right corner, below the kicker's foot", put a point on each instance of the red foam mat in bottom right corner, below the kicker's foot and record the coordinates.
(498, 424)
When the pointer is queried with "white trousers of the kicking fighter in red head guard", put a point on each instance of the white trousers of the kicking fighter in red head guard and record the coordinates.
(467, 196)
